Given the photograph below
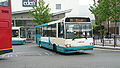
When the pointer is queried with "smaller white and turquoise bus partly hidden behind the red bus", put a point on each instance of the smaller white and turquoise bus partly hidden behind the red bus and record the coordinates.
(18, 35)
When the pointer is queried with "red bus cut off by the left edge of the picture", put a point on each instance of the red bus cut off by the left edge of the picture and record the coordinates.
(5, 27)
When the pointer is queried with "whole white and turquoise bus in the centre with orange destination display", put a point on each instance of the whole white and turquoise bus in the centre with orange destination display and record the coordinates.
(68, 35)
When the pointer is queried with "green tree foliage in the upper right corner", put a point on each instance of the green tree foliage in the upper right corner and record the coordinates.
(106, 10)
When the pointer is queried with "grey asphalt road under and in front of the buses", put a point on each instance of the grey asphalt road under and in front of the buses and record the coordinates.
(32, 56)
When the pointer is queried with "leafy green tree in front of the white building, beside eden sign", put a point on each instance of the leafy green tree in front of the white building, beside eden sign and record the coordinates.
(41, 13)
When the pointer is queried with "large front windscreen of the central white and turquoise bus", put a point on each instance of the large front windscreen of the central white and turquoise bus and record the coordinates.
(78, 30)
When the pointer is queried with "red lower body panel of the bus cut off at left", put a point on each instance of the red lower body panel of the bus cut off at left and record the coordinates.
(5, 37)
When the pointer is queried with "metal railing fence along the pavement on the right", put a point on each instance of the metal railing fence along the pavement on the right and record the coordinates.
(107, 41)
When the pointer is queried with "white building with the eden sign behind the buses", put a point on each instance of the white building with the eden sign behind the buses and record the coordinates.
(59, 9)
